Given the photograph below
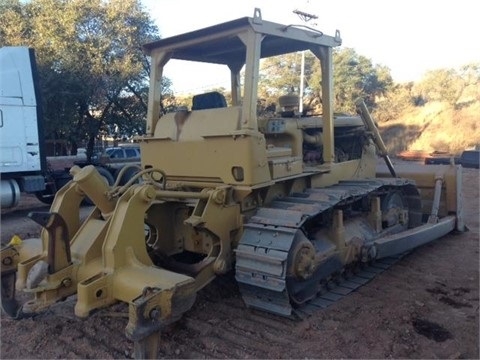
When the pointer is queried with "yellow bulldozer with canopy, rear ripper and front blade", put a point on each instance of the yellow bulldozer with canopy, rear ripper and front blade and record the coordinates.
(290, 203)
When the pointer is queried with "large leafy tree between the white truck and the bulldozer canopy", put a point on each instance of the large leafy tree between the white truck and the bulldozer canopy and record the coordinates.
(93, 74)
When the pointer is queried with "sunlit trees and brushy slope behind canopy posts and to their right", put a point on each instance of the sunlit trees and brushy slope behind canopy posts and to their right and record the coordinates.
(421, 115)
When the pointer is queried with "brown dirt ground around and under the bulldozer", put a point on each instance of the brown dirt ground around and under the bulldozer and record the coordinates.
(425, 306)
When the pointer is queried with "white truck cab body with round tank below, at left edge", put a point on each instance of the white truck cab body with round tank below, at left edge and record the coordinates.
(22, 161)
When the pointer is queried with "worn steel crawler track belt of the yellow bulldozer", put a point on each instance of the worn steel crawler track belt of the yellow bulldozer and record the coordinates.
(262, 254)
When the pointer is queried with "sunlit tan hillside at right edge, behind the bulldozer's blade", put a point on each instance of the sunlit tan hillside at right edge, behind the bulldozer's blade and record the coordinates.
(436, 126)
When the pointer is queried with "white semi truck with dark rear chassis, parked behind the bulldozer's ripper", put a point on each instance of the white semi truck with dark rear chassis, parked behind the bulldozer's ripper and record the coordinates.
(23, 163)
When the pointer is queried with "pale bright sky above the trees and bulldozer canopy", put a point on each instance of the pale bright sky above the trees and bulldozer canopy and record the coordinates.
(410, 37)
